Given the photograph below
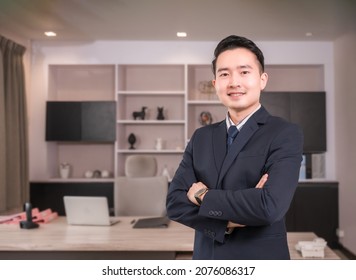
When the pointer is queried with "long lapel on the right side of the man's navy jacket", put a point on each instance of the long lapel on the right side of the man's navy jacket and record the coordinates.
(241, 140)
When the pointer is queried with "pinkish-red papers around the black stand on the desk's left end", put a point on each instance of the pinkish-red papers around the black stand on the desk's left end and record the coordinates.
(37, 217)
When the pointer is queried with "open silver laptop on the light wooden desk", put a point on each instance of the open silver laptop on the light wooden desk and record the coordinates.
(88, 210)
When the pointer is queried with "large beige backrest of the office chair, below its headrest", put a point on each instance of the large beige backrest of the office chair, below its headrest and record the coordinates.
(143, 196)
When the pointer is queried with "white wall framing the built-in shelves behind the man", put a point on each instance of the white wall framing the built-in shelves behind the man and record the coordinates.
(151, 52)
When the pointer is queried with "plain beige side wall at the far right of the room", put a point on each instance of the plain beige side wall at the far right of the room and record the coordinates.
(345, 114)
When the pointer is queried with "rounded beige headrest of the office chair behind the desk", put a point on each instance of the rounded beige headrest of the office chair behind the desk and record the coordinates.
(140, 166)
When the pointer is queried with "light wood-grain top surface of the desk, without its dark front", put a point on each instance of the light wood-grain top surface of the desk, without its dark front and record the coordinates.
(58, 236)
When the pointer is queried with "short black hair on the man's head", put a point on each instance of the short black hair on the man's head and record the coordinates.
(233, 42)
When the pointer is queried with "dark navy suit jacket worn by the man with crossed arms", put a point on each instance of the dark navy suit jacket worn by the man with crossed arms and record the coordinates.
(265, 144)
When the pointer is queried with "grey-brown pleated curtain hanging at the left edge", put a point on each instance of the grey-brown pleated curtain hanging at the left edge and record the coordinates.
(14, 182)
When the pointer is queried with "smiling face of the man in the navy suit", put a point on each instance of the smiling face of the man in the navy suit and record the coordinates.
(239, 82)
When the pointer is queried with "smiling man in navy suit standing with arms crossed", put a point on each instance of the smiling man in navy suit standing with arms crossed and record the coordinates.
(235, 190)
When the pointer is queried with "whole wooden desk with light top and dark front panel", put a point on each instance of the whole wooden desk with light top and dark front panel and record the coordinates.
(57, 240)
